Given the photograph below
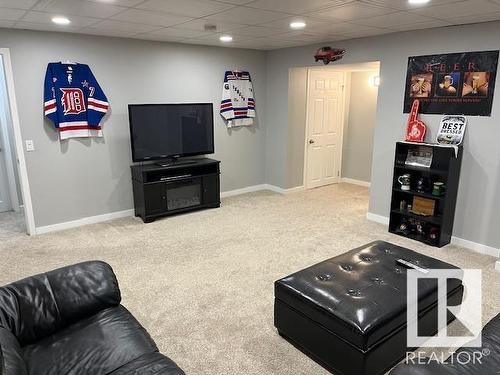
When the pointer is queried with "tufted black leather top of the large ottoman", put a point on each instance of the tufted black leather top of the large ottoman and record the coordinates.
(361, 295)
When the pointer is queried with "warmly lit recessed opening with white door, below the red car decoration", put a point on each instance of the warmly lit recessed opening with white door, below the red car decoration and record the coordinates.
(338, 121)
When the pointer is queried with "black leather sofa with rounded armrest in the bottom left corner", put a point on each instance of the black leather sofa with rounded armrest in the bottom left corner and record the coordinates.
(70, 321)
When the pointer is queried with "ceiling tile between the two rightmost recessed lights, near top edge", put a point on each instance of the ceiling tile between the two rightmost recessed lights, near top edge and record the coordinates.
(351, 11)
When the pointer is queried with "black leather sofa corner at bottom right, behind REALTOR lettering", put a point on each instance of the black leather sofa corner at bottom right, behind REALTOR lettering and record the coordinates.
(465, 361)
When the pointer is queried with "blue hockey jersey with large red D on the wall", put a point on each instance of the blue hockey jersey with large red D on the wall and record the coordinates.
(74, 101)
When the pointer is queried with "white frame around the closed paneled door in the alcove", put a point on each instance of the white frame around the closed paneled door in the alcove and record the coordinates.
(341, 135)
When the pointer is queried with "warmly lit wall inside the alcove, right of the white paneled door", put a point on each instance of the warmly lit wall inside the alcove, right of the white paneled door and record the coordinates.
(357, 147)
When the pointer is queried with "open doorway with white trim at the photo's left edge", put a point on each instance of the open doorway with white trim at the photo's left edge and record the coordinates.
(16, 215)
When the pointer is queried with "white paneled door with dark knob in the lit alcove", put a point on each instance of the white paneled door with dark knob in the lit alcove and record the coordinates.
(325, 112)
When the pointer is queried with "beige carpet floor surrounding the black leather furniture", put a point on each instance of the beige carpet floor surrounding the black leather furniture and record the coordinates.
(202, 283)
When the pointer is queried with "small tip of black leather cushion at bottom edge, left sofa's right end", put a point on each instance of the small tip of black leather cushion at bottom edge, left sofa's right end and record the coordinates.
(150, 364)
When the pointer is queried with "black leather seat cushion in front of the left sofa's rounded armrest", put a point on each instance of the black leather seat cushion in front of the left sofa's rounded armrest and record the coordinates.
(96, 345)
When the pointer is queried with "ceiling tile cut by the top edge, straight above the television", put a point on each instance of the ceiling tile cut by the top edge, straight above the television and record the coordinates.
(191, 8)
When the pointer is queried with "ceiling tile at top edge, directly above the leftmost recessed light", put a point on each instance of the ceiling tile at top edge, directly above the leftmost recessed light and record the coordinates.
(79, 8)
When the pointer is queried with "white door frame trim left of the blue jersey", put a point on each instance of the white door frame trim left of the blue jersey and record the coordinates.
(18, 142)
